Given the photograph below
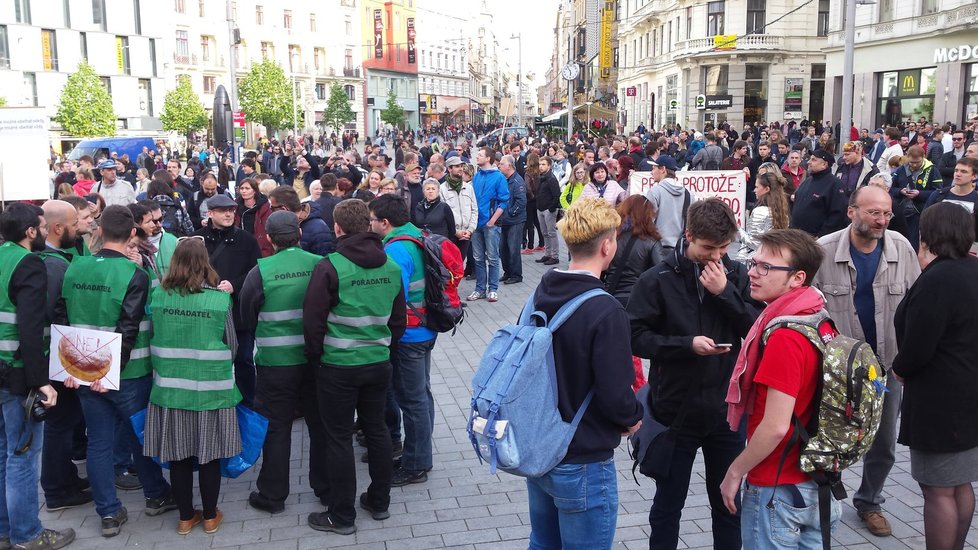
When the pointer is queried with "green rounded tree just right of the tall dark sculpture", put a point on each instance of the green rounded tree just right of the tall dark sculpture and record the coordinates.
(265, 96)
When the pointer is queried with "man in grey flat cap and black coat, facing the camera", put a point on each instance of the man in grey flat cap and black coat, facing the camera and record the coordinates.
(233, 252)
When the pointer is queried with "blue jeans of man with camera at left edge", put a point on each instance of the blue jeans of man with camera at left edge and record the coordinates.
(18, 473)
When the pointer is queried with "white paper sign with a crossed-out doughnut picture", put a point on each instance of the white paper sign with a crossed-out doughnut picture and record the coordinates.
(85, 355)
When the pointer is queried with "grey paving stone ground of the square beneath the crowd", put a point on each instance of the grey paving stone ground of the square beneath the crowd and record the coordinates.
(462, 506)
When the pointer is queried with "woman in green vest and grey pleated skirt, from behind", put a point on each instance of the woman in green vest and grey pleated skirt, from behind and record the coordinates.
(187, 425)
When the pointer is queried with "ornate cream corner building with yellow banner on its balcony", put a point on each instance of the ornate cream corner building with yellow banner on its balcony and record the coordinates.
(714, 61)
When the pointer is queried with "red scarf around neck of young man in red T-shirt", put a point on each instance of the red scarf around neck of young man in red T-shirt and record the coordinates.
(740, 393)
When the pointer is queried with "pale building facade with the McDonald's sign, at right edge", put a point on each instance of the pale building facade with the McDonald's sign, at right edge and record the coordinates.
(913, 59)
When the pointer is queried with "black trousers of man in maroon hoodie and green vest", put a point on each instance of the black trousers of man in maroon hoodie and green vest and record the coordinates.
(343, 390)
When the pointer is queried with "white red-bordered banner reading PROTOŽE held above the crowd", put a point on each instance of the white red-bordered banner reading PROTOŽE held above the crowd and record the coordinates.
(730, 186)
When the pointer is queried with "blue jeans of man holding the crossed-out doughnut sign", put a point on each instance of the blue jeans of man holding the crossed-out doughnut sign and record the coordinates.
(101, 411)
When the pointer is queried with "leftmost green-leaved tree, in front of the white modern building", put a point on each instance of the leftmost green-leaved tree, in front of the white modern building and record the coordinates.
(85, 108)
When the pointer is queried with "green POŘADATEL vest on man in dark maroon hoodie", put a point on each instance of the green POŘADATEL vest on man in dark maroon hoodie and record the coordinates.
(356, 328)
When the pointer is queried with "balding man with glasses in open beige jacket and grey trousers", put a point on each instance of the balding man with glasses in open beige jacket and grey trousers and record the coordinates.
(864, 275)
